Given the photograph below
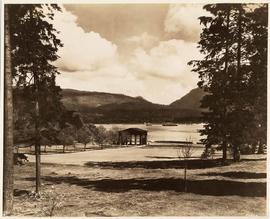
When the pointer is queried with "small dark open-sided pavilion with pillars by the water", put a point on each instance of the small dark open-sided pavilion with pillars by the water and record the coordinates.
(132, 136)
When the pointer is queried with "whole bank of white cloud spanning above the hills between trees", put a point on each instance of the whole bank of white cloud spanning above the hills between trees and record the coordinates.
(156, 70)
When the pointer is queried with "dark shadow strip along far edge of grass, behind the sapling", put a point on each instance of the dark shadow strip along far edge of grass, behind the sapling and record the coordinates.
(159, 164)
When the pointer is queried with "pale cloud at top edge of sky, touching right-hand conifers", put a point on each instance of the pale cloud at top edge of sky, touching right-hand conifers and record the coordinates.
(183, 19)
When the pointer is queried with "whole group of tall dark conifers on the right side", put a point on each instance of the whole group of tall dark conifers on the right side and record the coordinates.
(233, 72)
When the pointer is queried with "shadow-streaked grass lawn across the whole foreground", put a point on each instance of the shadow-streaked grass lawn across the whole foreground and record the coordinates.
(144, 188)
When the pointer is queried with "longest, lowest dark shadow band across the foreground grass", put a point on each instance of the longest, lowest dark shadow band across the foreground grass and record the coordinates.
(202, 187)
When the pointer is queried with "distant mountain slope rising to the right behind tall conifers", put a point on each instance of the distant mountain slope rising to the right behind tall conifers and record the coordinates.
(190, 100)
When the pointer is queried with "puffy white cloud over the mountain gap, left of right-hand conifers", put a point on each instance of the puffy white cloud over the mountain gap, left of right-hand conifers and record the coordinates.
(168, 60)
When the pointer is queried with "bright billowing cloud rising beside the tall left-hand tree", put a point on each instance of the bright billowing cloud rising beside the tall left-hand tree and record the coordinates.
(82, 51)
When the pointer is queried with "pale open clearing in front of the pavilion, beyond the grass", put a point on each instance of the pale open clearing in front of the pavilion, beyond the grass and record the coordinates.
(138, 153)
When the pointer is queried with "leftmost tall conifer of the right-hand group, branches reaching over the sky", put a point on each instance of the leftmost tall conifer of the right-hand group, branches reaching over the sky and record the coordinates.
(214, 70)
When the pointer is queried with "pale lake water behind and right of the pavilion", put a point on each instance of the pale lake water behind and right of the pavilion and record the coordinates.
(157, 132)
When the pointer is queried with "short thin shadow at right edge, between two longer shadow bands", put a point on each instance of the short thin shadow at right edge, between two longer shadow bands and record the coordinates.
(240, 175)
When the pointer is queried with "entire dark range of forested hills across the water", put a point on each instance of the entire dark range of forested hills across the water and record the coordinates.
(100, 107)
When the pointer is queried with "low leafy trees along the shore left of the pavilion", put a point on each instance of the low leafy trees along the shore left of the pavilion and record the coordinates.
(69, 130)
